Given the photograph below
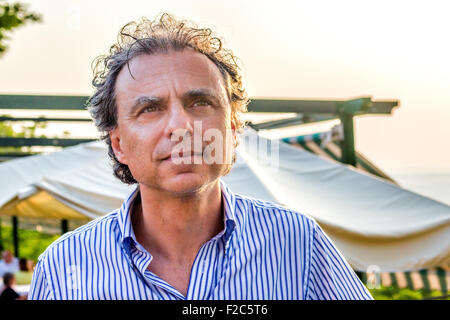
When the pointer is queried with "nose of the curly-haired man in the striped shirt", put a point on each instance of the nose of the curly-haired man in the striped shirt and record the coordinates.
(179, 122)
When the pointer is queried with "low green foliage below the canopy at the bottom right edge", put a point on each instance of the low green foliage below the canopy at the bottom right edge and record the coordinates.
(395, 293)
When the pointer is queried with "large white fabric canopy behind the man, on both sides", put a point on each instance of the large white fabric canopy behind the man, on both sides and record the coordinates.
(372, 222)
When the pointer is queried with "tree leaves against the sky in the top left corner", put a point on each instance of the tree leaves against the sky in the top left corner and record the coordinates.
(13, 15)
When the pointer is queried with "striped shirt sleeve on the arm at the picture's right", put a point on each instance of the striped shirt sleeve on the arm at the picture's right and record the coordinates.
(330, 275)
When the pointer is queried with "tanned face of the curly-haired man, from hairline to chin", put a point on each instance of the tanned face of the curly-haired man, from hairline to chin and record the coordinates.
(168, 94)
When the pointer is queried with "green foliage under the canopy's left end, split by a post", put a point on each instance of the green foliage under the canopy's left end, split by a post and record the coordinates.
(31, 242)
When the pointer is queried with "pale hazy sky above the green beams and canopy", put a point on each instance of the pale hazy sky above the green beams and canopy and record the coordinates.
(288, 49)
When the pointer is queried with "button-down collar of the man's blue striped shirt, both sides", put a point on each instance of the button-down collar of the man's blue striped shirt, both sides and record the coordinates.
(128, 237)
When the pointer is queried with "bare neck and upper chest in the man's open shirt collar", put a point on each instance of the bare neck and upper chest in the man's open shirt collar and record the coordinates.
(174, 228)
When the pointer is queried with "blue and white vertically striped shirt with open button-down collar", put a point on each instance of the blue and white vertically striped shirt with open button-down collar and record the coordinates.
(265, 251)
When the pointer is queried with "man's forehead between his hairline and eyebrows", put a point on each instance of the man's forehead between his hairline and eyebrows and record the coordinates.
(180, 70)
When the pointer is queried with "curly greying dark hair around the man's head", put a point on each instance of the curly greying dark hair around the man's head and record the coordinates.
(160, 35)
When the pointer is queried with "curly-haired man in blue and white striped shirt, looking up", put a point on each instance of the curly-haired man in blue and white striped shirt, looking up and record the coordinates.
(168, 100)
